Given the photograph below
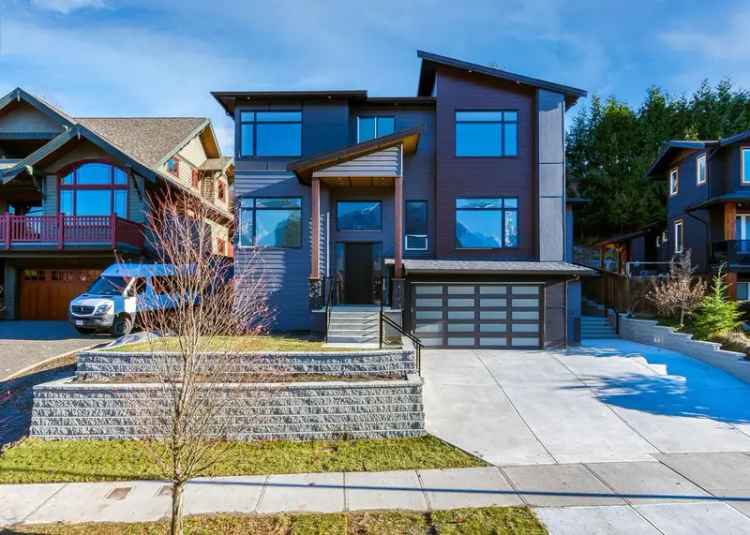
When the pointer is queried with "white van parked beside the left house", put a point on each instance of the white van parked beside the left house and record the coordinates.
(114, 300)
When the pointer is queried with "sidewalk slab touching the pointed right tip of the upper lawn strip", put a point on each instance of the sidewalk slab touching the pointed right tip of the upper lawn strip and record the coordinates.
(472, 487)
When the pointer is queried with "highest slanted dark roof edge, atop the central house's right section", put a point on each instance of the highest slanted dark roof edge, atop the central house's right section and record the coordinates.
(430, 60)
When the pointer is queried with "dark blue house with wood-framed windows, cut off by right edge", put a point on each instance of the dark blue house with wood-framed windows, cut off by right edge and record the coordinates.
(708, 206)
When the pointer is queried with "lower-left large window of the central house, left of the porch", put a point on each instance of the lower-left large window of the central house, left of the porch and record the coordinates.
(271, 222)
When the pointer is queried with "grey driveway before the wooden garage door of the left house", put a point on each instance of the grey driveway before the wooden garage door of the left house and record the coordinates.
(25, 343)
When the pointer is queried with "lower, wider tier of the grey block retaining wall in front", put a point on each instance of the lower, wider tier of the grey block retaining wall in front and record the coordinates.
(314, 410)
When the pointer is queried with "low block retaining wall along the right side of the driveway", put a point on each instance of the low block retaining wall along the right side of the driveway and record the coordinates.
(650, 332)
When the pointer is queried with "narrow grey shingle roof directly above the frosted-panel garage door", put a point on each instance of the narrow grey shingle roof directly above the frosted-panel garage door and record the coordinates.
(493, 266)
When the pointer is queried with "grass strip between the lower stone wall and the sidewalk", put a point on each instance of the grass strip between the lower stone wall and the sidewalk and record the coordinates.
(39, 461)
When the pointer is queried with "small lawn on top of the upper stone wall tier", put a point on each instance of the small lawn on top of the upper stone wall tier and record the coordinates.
(269, 342)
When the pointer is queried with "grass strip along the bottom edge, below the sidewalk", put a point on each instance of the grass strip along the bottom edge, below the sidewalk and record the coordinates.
(488, 520)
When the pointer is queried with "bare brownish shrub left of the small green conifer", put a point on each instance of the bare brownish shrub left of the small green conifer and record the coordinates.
(680, 293)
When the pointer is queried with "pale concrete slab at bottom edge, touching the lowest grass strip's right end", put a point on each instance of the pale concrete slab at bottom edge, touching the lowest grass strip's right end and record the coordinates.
(606, 520)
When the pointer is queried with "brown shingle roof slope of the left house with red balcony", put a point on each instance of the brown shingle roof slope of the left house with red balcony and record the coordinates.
(147, 139)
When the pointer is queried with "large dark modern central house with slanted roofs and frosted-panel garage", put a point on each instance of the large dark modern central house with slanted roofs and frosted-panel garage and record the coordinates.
(449, 205)
